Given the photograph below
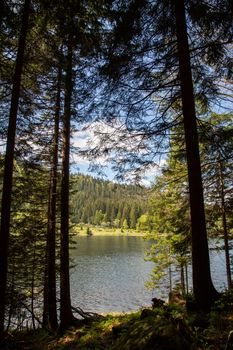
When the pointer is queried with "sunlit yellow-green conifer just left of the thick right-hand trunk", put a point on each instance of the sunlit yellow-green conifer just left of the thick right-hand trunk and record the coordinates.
(169, 213)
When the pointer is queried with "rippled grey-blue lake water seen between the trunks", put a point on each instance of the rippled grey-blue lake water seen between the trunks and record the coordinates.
(110, 273)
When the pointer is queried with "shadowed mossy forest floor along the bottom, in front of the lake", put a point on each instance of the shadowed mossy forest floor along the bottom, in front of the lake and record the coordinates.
(166, 327)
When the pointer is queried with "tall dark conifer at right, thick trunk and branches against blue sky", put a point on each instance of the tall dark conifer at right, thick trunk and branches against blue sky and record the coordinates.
(150, 88)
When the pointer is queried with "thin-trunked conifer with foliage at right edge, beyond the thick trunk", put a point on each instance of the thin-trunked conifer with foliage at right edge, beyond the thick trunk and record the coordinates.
(216, 151)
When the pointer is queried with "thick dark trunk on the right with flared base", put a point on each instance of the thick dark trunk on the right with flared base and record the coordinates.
(203, 288)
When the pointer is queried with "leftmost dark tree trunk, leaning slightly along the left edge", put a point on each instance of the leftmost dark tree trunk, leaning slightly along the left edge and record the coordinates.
(8, 166)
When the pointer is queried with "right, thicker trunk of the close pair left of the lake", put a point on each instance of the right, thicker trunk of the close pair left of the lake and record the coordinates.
(66, 316)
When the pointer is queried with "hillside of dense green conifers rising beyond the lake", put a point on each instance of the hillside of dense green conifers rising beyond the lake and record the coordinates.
(106, 203)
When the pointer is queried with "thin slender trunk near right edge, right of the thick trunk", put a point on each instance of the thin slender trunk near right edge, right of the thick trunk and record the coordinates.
(224, 222)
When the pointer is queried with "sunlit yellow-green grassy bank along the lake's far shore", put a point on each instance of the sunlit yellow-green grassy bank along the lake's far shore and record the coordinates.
(82, 230)
